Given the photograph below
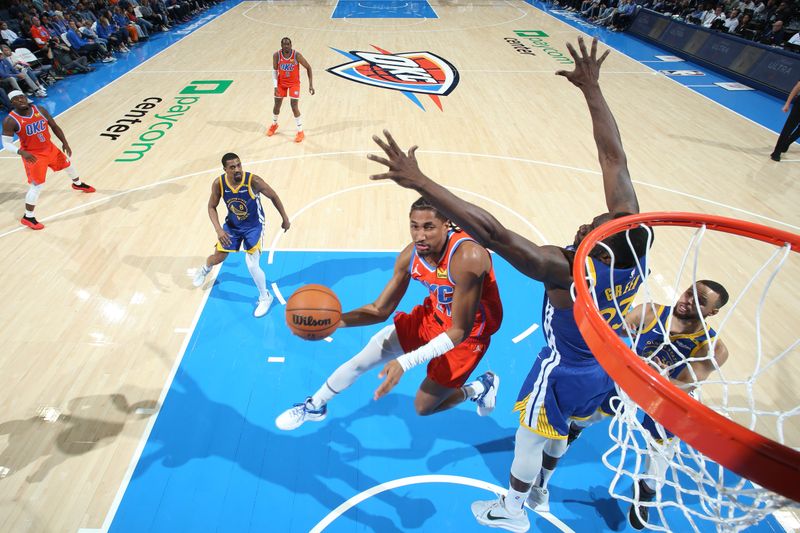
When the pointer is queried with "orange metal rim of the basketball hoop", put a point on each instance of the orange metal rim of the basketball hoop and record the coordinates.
(752, 456)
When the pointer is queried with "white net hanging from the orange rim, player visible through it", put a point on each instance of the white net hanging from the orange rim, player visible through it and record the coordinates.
(670, 485)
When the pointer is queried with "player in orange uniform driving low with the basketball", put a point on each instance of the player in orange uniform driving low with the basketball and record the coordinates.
(450, 331)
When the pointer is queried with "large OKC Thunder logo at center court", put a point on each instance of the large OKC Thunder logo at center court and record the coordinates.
(407, 72)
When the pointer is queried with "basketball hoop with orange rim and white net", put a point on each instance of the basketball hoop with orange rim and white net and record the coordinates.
(706, 432)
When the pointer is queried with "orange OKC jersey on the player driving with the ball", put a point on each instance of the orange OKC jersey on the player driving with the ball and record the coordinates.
(440, 284)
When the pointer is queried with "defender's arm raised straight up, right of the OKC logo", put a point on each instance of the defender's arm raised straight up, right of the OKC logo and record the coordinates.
(619, 192)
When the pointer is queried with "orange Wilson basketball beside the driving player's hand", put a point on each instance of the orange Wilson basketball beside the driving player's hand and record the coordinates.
(313, 312)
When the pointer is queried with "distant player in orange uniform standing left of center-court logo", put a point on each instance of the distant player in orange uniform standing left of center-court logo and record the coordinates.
(286, 80)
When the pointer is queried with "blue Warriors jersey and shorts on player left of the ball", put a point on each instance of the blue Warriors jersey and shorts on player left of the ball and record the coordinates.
(245, 220)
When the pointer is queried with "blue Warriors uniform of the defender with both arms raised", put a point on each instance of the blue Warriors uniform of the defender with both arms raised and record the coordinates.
(566, 380)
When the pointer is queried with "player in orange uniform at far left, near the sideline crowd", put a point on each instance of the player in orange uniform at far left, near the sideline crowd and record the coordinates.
(33, 125)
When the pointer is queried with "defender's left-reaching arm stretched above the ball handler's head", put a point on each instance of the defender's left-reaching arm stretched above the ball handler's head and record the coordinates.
(544, 263)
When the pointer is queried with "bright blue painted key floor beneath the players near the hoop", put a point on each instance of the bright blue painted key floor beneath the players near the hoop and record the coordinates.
(215, 461)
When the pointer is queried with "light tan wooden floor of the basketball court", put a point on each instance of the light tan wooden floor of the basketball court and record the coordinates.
(98, 307)
